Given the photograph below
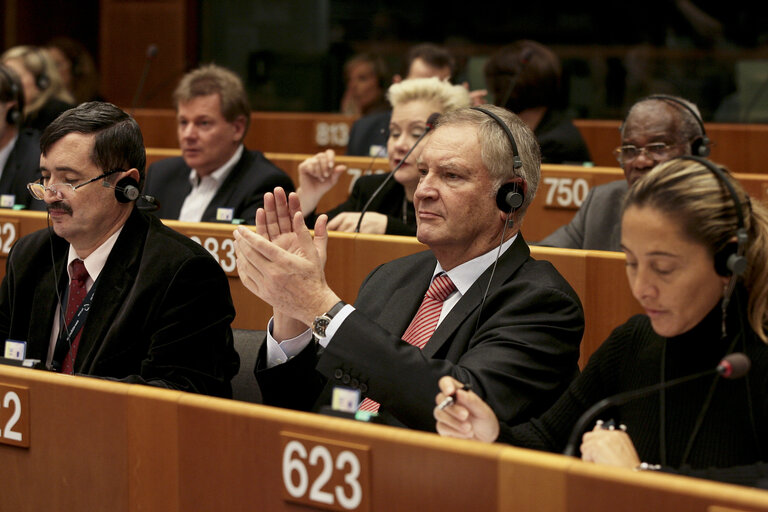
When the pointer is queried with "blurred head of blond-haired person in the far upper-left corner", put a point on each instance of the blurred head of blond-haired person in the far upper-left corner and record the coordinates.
(44, 94)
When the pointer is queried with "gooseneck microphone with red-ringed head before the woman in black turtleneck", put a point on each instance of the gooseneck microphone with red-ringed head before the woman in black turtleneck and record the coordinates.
(733, 366)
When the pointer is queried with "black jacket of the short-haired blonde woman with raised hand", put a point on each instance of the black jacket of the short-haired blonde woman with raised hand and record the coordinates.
(390, 201)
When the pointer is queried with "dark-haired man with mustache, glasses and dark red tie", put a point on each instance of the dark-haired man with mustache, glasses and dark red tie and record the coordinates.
(107, 290)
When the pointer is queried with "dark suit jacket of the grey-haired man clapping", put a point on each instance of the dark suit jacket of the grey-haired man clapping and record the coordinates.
(519, 357)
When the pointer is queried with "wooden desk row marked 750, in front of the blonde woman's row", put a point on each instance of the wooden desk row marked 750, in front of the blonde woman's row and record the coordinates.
(562, 188)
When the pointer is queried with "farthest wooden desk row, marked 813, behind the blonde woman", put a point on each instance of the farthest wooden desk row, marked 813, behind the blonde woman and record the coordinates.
(741, 147)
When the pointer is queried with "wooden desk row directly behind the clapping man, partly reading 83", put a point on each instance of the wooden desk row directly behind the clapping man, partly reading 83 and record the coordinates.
(598, 277)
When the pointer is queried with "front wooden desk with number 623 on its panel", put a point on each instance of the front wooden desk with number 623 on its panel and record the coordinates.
(101, 445)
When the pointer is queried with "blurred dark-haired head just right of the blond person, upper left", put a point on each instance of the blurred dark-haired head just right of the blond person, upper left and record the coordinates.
(76, 68)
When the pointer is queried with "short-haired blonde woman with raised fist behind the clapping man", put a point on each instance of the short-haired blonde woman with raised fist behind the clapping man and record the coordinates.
(391, 212)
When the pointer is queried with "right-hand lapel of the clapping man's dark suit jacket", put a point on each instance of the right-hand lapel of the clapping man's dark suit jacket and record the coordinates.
(509, 262)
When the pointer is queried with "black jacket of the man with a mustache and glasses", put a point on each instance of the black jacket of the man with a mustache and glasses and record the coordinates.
(161, 310)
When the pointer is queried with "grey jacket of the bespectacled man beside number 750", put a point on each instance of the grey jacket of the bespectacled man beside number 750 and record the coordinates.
(597, 224)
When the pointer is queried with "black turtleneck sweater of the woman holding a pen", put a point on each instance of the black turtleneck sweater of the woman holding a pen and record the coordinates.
(733, 428)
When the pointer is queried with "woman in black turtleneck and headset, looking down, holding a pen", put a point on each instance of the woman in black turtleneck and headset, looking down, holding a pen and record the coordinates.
(697, 261)
